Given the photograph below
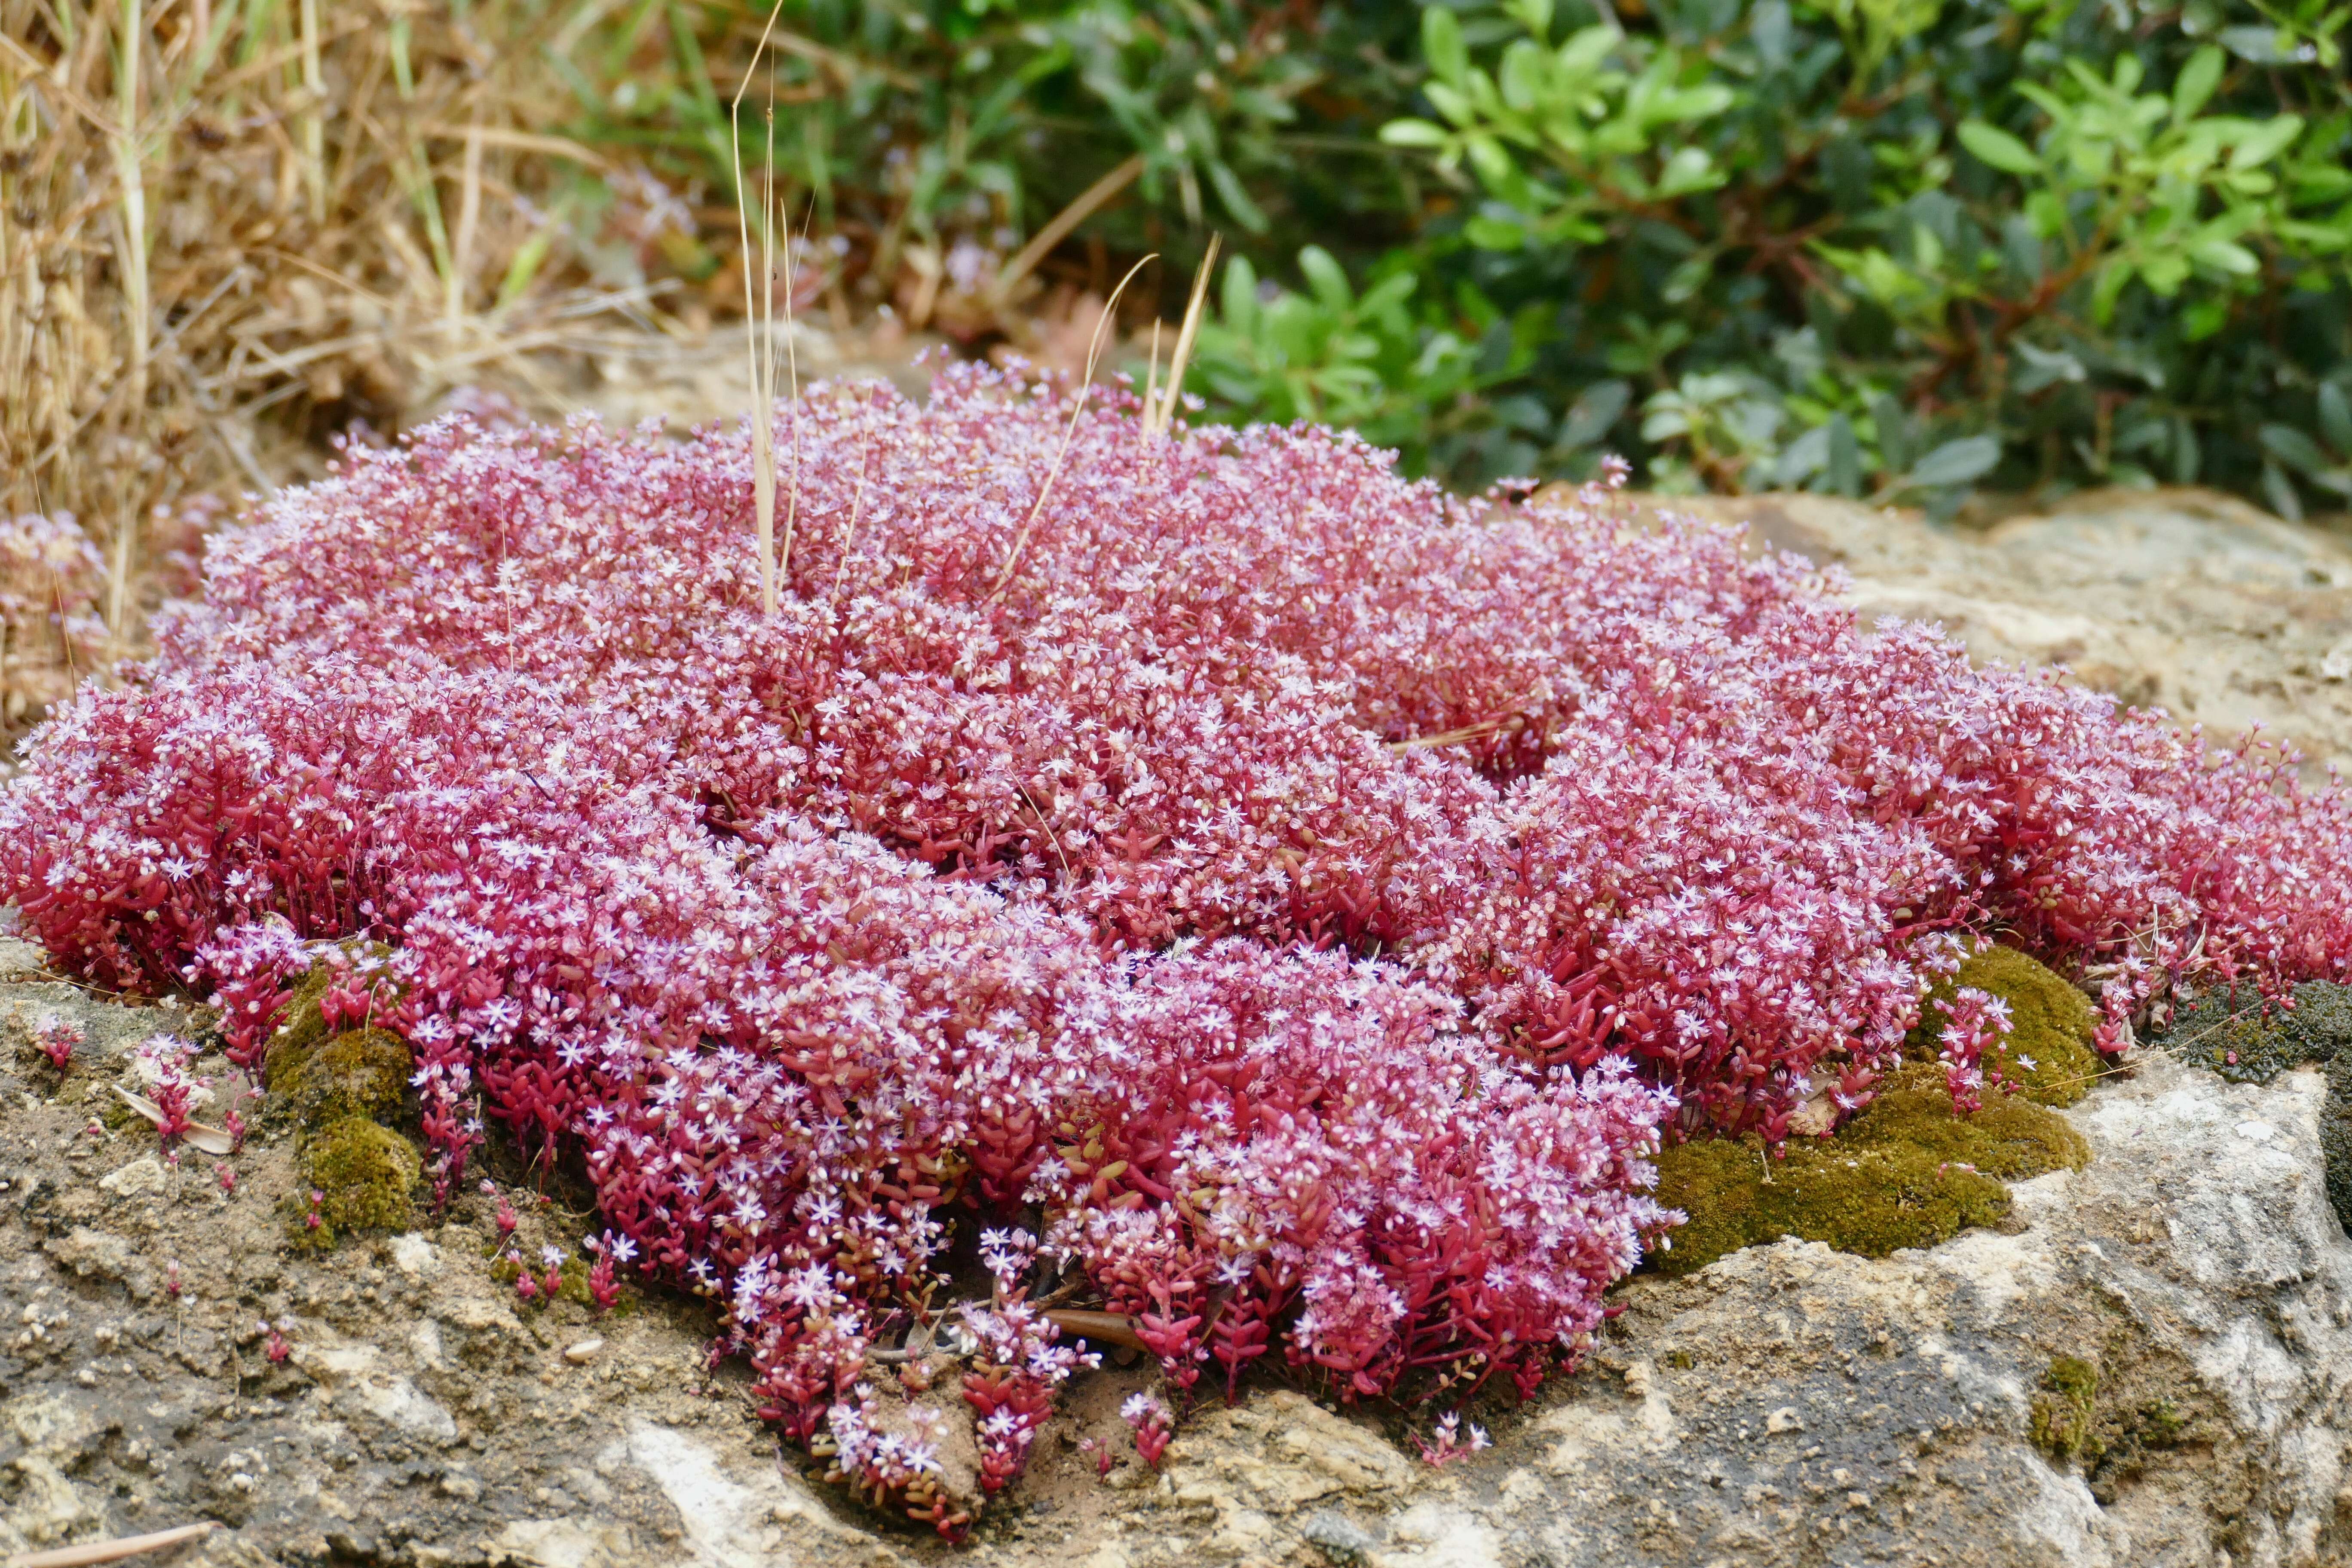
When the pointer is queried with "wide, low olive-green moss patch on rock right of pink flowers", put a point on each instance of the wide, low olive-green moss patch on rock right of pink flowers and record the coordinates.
(1909, 1172)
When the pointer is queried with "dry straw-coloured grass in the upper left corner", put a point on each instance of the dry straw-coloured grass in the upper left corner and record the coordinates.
(234, 227)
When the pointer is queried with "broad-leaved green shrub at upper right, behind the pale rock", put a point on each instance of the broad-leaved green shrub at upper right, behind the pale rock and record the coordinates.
(1895, 248)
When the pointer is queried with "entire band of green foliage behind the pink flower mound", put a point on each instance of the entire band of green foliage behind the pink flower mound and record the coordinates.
(1880, 248)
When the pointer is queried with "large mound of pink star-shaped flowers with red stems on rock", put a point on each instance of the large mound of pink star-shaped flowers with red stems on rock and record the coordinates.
(1276, 897)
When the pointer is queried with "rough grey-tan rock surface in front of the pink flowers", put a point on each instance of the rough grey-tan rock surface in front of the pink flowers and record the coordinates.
(1784, 1407)
